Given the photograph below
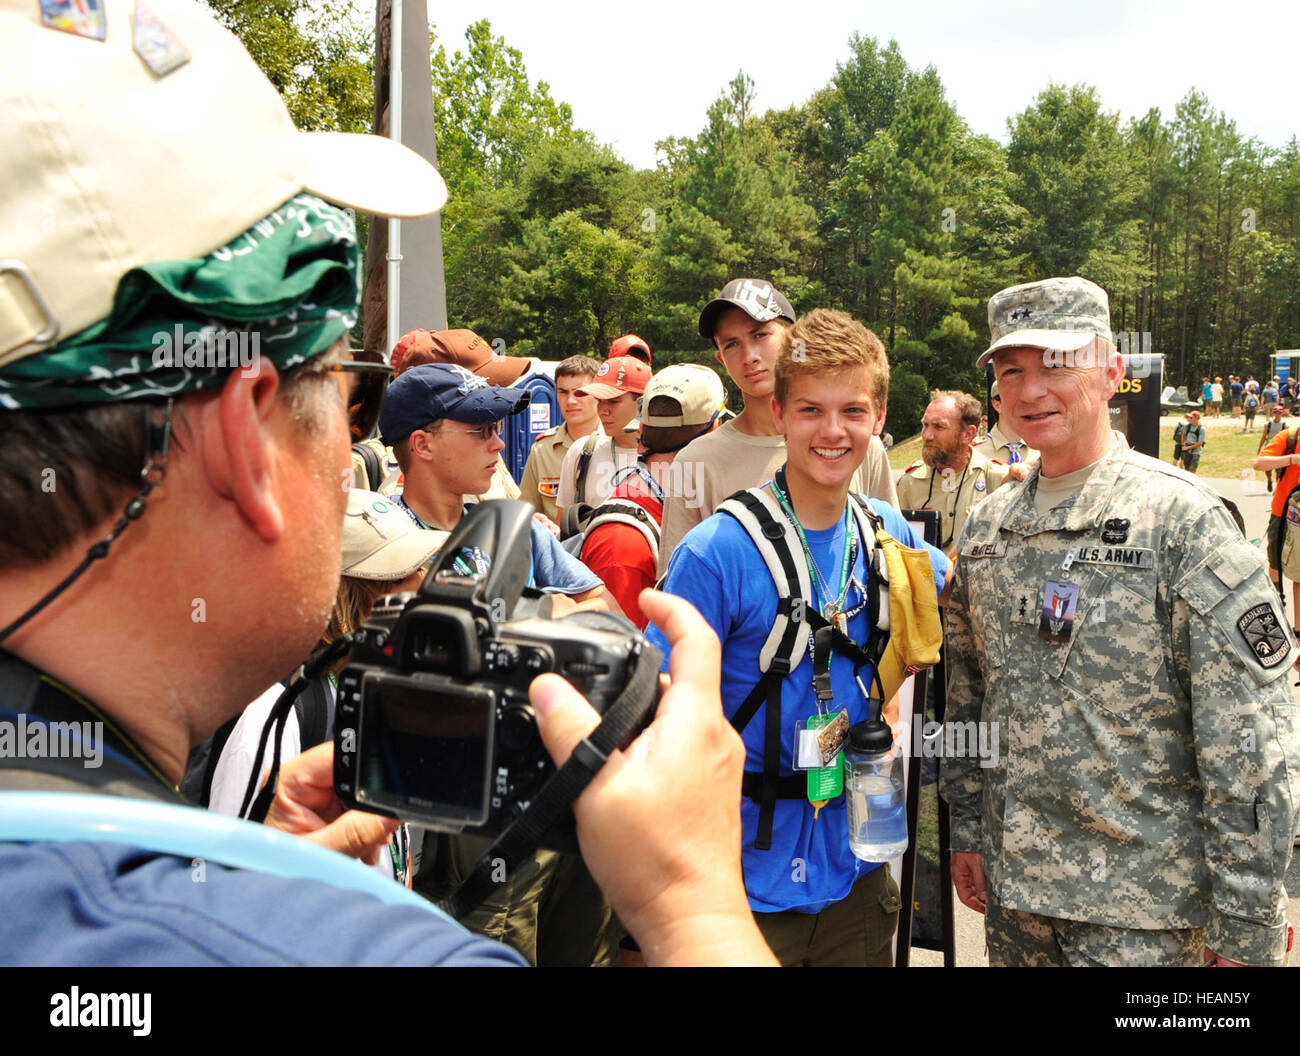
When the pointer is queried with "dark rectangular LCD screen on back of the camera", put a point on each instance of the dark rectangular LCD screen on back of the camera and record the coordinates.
(426, 746)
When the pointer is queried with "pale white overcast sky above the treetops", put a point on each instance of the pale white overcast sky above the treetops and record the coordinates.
(636, 73)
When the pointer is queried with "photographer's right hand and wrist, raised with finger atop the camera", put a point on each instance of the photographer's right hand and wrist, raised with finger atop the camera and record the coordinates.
(660, 825)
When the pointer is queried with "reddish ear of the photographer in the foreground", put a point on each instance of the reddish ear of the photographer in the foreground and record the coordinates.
(233, 436)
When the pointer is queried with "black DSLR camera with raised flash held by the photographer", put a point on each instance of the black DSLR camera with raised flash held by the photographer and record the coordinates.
(434, 724)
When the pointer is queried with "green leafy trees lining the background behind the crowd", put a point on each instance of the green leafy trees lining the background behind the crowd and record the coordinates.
(873, 197)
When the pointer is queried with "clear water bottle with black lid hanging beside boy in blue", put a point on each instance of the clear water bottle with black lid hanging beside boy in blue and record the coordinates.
(873, 785)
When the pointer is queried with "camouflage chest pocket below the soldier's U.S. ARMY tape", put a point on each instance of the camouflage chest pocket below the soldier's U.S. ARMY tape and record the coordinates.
(1117, 652)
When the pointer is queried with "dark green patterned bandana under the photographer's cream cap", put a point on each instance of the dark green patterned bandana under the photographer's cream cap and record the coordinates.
(285, 289)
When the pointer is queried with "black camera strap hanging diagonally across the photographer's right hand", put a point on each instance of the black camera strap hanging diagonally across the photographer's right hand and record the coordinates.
(517, 843)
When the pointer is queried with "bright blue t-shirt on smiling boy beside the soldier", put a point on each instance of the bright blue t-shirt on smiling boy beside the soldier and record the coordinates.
(720, 572)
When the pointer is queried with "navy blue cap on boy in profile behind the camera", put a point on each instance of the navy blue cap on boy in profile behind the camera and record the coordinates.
(439, 391)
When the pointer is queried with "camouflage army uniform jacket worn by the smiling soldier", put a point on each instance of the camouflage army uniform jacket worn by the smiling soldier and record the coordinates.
(1147, 769)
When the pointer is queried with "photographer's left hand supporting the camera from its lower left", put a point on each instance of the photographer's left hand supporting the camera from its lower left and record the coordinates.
(307, 807)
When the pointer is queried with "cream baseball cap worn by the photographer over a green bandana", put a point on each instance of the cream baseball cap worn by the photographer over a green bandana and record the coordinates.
(141, 131)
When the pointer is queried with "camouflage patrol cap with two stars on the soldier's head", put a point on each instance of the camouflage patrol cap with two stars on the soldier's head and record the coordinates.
(1058, 314)
